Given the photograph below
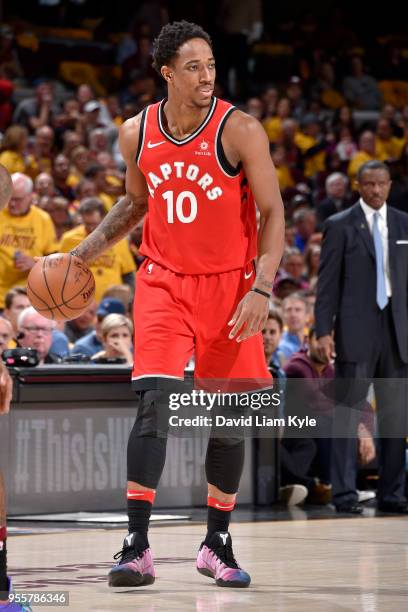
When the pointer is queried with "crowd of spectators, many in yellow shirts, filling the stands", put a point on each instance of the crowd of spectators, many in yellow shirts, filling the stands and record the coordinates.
(327, 103)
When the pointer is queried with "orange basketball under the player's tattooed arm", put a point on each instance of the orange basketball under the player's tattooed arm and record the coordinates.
(60, 286)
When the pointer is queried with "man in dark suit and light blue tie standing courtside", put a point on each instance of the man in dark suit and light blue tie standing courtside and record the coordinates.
(362, 295)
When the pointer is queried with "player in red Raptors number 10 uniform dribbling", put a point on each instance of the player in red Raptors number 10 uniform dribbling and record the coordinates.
(195, 164)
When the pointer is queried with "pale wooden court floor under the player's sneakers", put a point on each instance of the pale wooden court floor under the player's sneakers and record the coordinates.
(321, 565)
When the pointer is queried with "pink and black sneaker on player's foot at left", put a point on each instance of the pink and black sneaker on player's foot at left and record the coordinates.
(135, 567)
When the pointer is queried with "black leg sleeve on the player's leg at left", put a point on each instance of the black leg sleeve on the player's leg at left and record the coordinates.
(146, 452)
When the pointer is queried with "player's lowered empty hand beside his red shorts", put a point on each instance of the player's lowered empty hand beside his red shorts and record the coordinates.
(249, 317)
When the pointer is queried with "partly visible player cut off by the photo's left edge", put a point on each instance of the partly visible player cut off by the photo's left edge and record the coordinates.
(6, 388)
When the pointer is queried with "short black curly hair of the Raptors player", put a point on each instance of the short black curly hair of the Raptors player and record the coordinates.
(170, 39)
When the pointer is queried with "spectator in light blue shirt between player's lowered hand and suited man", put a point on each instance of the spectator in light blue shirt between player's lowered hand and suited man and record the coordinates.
(295, 314)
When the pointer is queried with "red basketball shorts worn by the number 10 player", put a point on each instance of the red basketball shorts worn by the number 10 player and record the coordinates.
(177, 316)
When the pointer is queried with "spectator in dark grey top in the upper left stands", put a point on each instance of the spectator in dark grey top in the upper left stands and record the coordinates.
(39, 111)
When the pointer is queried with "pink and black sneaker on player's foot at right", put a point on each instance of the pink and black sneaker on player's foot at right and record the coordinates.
(216, 560)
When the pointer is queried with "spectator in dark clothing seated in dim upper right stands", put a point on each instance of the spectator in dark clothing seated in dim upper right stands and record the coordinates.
(360, 89)
